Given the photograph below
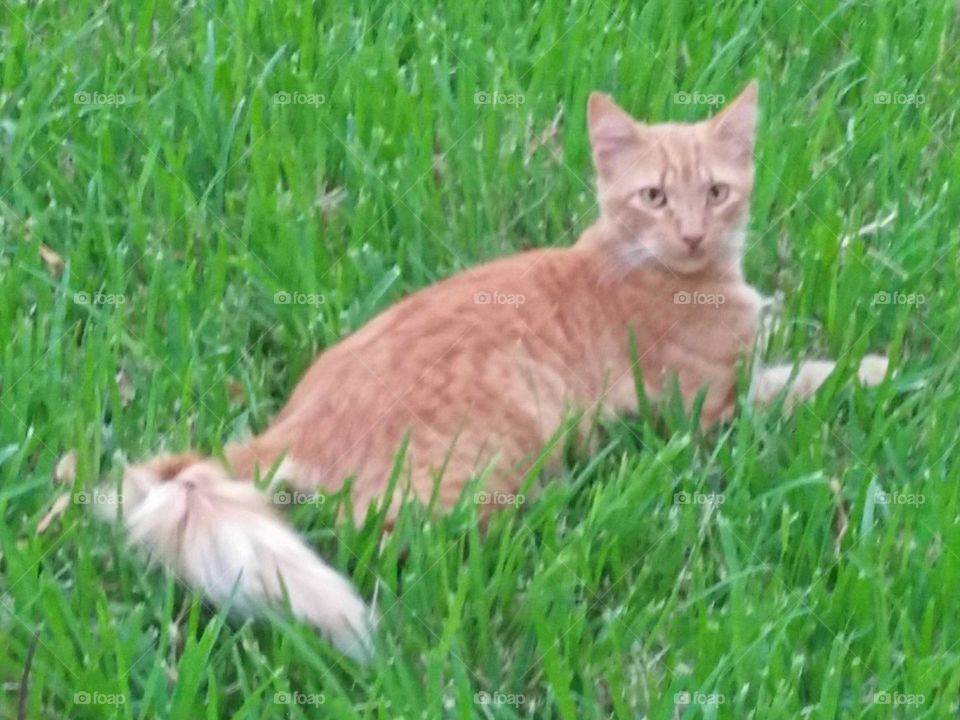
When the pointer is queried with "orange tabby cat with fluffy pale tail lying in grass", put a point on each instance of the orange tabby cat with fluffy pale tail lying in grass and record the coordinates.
(481, 369)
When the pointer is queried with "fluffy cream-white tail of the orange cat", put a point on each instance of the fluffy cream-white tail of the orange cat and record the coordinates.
(222, 536)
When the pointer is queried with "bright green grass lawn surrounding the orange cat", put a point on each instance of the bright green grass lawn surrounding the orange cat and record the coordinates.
(200, 197)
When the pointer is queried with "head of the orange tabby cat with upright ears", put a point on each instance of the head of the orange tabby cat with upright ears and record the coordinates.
(674, 193)
